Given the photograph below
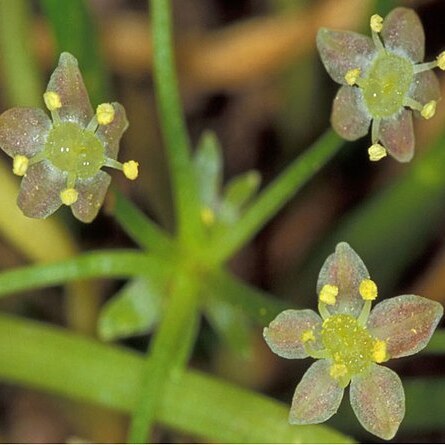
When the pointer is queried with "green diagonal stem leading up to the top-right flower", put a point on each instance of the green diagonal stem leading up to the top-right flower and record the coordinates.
(276, 195)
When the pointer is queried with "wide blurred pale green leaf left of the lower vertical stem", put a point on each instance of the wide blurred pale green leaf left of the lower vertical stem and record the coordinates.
(134, 310)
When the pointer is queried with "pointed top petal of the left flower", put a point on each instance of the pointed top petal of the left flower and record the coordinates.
(67, 81)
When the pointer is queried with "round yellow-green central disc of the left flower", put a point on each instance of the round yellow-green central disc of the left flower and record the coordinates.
(74, 150)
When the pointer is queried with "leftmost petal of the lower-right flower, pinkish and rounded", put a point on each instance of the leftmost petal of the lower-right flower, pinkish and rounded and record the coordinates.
(284, 332)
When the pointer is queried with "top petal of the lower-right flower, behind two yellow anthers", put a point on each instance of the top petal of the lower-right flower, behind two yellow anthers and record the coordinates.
(346, 270)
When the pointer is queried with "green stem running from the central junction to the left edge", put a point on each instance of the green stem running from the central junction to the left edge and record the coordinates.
(112, 263)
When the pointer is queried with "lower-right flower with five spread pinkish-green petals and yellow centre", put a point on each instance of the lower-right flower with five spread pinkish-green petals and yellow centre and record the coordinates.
(350, 342)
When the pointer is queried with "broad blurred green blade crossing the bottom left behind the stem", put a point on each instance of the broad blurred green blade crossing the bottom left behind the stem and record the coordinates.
(85, 370)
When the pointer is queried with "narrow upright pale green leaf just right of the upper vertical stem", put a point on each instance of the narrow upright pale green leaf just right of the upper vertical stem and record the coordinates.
(208, 168)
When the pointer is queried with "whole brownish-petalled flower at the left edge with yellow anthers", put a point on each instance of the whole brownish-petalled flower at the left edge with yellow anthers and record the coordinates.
(61, 160)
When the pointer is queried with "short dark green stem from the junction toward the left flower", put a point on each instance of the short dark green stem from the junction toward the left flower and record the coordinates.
(139, 227)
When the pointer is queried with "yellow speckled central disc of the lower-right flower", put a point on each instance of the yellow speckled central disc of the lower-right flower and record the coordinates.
(347, 343)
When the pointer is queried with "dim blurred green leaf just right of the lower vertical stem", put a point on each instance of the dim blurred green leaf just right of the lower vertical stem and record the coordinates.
(231, 325)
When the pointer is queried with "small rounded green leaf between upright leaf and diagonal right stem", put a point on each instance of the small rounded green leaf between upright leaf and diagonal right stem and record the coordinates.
(238, 192)
